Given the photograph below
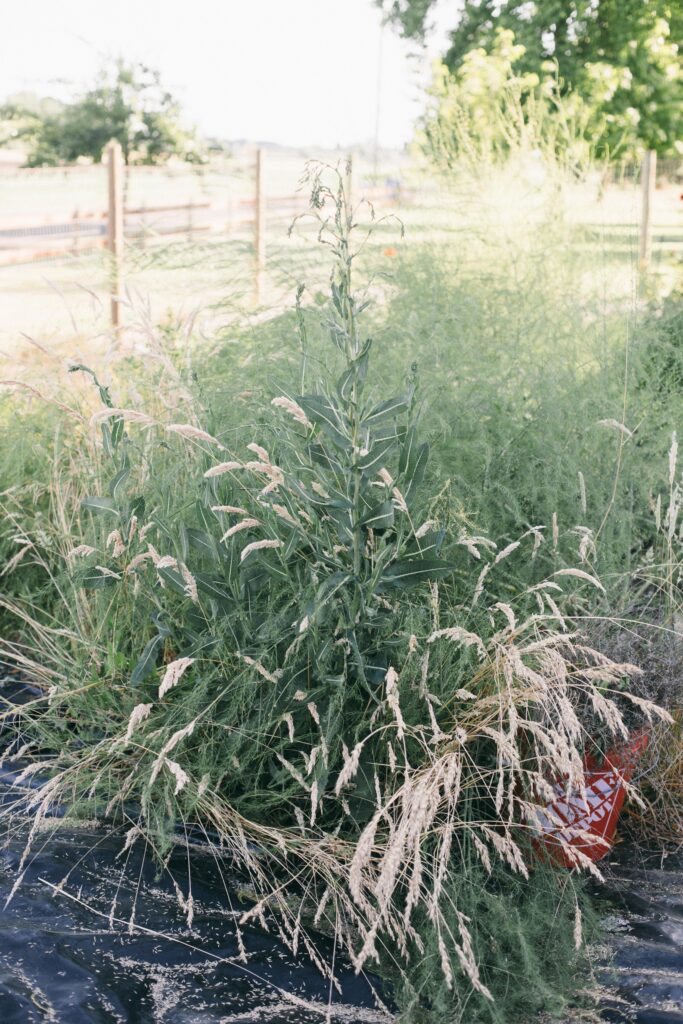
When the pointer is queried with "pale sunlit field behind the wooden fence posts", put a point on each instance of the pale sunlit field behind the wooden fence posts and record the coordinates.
(206, 270)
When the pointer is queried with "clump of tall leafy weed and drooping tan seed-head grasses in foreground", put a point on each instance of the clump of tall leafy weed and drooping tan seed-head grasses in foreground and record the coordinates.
(332, 686)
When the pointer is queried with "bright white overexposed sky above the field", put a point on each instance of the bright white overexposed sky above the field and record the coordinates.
(295, 72)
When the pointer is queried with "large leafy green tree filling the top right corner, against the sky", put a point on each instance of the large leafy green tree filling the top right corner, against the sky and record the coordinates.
(623, 58)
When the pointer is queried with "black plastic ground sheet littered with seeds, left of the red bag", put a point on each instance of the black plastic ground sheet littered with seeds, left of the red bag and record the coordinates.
(115, 947)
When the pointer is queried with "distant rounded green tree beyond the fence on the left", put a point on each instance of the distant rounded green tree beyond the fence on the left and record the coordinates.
(127, 103)
